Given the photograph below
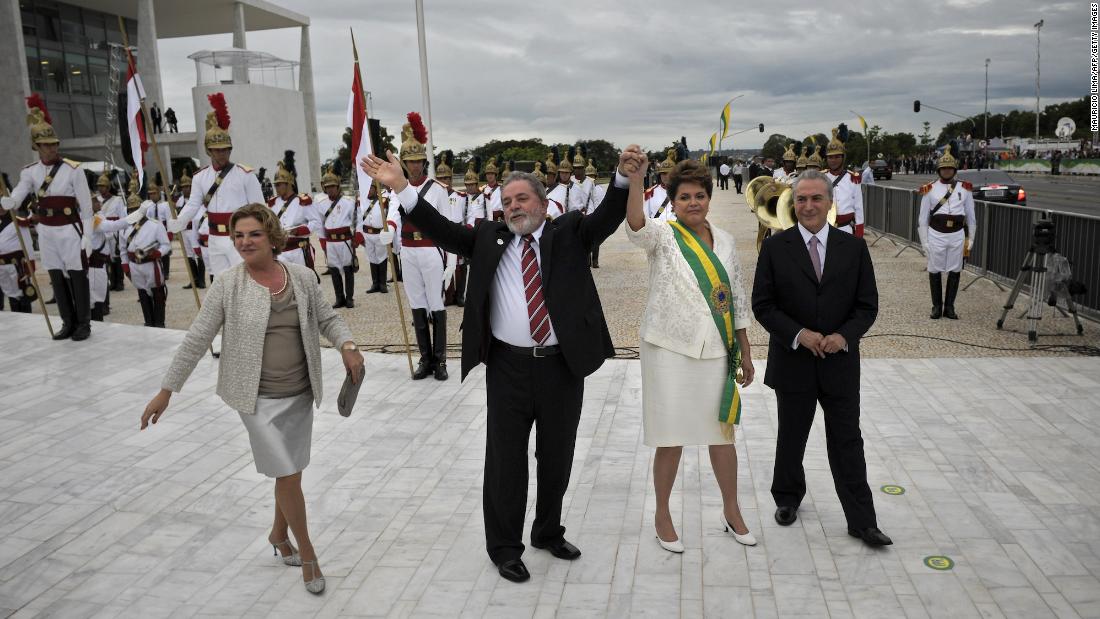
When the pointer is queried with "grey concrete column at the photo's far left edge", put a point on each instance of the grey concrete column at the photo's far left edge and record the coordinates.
(14, 132)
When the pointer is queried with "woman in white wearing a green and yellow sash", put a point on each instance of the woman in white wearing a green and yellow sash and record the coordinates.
(695, 349)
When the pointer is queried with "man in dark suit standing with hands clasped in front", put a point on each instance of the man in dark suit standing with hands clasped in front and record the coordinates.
(817, 296)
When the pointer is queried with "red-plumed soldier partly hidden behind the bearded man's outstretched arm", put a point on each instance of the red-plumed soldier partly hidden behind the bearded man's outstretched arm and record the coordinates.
(423, 263)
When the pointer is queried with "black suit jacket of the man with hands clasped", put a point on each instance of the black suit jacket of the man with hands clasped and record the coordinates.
(787, 297)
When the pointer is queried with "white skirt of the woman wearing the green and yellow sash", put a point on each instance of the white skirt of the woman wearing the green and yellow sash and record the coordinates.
(680, 399)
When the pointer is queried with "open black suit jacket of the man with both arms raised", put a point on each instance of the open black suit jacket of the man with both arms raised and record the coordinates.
(568, 288)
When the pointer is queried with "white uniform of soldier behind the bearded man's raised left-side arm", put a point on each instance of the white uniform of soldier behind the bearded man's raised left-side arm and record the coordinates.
(423, 263)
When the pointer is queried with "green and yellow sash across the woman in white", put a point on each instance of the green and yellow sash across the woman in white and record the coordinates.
(714, 284)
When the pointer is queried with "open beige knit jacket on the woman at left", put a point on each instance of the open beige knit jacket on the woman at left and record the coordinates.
(240, 307)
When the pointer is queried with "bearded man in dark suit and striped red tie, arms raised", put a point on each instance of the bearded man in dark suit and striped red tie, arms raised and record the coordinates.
(534, 317)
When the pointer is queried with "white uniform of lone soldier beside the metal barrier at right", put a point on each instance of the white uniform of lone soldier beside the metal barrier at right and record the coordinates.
(943, 235)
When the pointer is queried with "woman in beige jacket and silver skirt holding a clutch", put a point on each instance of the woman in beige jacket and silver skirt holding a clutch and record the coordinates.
(271, 315)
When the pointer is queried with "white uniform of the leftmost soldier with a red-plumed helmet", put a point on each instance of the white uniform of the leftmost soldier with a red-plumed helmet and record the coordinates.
(59, 244)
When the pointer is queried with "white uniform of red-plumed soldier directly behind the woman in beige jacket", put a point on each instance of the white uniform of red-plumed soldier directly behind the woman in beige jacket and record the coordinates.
(238, 189)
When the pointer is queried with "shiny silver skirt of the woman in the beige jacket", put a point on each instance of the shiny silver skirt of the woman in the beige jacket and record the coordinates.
(281, 433)
